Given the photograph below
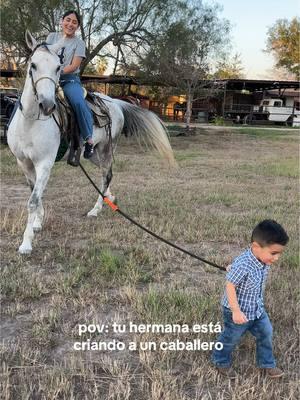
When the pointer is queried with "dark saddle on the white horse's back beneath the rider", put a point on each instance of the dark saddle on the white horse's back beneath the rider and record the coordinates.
(66, 120)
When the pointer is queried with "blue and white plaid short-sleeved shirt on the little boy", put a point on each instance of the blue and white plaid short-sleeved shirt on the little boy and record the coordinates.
(249, 276)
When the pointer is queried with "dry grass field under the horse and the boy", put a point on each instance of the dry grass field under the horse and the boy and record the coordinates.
(103, 271)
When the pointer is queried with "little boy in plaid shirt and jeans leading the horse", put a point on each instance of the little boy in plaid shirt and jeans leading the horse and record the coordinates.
(243, 303)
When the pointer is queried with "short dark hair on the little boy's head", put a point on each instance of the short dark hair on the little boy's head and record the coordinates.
(269, 232)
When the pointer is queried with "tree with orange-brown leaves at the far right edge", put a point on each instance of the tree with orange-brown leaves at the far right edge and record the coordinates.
(283, 42)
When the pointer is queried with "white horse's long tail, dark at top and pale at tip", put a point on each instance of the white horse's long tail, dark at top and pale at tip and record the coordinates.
(145, 125)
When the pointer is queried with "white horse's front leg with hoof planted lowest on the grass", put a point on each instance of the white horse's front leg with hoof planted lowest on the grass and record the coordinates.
(35, 207)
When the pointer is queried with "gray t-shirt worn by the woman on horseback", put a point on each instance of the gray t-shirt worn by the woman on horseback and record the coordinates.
(73, 47)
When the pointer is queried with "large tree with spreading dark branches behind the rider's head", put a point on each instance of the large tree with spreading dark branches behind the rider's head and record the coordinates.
(108, 26)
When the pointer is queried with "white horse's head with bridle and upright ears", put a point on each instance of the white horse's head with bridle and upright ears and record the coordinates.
(44, 71)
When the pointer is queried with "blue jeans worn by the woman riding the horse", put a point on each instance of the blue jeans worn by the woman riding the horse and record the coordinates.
(71, 86)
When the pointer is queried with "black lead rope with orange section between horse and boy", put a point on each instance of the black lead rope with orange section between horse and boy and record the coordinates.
(147, 230)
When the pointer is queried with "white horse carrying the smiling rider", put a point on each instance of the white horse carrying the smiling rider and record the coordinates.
(34, 137)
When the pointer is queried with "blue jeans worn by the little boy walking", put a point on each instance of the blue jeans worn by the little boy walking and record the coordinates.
(261, 328)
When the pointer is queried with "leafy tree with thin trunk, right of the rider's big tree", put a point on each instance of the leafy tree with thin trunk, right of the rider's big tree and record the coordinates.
(181, 55)
